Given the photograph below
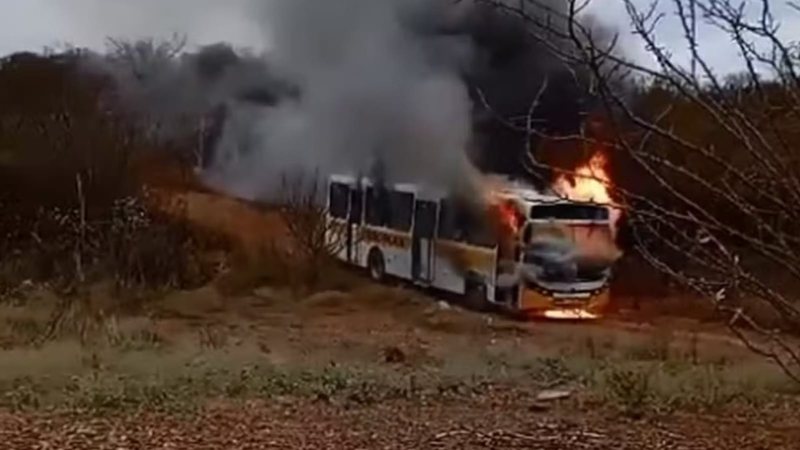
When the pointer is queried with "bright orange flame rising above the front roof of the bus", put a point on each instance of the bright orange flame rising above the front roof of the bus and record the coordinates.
(590, 183)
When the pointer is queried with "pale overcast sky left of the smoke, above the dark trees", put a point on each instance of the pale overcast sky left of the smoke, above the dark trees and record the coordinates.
(35, 24)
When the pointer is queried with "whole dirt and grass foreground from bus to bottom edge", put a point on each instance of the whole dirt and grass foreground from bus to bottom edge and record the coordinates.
(380, 367)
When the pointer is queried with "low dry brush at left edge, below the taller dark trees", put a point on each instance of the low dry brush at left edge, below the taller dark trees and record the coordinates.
(133, 246)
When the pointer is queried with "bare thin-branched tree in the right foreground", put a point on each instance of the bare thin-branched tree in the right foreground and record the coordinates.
(722, 166)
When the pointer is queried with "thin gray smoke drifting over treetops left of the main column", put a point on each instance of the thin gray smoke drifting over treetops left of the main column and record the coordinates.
(171, 91)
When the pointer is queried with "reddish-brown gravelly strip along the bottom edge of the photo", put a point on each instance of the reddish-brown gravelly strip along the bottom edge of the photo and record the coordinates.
(483, 424)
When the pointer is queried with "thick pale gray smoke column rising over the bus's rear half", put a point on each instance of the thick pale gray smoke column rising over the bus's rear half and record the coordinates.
(370, 88)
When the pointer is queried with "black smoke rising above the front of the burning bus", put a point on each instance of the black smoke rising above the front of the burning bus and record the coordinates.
(514, 58)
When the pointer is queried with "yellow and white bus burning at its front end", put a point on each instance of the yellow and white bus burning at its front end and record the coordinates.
(424, 236)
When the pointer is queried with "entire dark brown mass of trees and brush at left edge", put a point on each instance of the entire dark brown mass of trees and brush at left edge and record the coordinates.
(74, 211)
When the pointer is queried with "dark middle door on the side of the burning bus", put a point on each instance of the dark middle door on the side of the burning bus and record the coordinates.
(422, 237)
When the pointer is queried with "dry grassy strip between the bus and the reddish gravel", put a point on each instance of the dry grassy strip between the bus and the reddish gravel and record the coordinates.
(365, 345)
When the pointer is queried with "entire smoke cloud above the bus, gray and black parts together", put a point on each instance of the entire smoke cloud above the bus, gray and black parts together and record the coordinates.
(351, 83)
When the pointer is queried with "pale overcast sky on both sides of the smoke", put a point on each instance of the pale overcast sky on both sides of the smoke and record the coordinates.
(35, 24)
